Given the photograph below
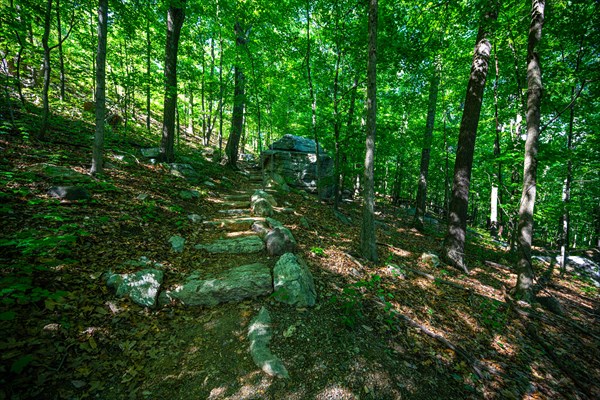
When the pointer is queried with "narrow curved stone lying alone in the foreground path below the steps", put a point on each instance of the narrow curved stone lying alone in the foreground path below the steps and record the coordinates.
(259, 335)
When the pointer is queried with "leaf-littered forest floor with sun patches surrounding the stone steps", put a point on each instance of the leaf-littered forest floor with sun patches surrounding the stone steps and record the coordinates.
(378, 331)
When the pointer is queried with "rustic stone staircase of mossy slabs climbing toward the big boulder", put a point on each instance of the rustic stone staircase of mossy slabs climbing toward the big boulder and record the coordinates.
(255, 240)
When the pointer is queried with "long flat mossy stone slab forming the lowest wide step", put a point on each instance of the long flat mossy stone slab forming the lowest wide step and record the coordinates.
(238, 283)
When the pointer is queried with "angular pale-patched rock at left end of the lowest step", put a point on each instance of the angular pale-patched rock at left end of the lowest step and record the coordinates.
(141, 287)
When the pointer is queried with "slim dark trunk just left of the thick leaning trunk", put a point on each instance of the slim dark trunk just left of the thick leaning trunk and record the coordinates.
(420, 208)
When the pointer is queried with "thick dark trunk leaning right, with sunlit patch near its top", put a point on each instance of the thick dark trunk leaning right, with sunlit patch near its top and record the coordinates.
(454, 243)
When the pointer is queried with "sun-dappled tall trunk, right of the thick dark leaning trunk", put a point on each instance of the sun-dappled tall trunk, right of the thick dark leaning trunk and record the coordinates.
(525, 272)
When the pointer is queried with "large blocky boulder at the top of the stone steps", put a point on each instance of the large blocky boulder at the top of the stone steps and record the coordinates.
(295, 159)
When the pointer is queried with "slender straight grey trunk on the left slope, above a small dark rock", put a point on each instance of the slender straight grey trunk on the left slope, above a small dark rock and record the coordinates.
(98, 148)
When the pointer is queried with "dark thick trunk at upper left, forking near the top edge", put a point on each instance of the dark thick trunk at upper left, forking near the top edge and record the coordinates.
(175, 17)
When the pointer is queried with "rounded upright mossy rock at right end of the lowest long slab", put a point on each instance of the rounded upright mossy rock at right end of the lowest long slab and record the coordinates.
(293, 282)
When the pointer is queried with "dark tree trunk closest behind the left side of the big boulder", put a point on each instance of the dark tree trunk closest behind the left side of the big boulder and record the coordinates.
(239, 99)
